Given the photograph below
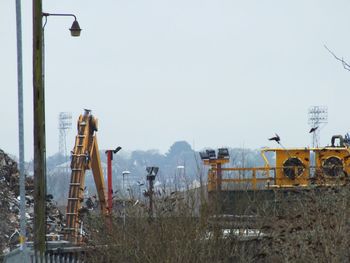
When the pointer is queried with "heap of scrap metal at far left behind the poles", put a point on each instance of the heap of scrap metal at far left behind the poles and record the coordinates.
(9, 207)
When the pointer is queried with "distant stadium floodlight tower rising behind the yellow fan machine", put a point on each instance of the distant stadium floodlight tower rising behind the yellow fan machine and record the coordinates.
(317, 118)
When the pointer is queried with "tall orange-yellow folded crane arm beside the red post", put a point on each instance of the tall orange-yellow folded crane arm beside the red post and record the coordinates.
(85, 156)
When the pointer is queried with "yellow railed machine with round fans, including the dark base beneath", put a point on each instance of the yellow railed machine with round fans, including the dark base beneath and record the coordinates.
(241, 190)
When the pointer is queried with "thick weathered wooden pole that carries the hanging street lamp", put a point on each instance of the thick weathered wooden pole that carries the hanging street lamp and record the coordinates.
(39, 133)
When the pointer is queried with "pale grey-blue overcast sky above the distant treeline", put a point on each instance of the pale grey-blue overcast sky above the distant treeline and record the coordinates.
(214, 73)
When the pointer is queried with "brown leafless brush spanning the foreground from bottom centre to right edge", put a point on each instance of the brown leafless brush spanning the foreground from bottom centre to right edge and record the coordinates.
(309, 226)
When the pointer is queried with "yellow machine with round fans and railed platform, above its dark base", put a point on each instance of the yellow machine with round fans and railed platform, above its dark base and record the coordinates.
(294, 167)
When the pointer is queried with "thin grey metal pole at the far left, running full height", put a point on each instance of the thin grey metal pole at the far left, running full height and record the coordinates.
(21, 129)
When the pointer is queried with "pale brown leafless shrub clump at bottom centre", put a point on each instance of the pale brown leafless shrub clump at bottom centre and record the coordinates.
(176, 235)
